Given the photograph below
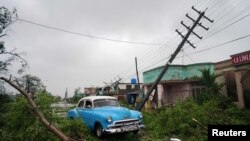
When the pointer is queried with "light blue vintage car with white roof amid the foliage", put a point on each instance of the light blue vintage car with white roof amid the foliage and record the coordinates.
(104, 115)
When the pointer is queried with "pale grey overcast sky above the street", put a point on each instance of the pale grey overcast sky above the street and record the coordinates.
(66, 60)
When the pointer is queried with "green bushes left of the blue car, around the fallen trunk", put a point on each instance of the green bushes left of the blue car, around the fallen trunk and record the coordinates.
(22, 124)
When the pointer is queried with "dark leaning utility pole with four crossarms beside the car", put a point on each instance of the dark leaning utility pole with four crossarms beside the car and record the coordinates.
(185, 39)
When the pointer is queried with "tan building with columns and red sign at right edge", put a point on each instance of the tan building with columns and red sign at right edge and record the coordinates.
(235, 77)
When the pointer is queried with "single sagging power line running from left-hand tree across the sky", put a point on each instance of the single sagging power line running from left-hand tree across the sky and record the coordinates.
(86, 35)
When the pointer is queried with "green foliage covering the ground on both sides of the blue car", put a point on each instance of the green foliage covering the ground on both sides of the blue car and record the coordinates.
(187, 120)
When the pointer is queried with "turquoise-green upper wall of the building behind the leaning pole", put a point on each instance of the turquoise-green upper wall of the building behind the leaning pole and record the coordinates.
(177, 72)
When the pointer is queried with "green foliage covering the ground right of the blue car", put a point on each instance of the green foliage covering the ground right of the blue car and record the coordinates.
(188, 120)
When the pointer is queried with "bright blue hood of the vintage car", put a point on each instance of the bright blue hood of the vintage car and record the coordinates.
(117, 113)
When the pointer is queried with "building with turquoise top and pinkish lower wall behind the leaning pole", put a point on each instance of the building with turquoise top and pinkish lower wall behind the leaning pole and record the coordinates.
(177, 83)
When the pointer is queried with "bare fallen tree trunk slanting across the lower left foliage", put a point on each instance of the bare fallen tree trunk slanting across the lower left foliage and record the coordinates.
(40, 115)
